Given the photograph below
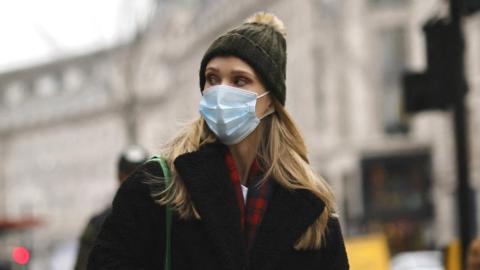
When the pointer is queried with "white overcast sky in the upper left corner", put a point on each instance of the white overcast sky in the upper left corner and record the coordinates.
(35, 31)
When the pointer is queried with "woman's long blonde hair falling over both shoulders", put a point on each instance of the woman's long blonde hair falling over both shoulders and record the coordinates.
(283, 153)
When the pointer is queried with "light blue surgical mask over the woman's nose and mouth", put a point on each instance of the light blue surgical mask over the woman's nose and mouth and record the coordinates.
(230, 112)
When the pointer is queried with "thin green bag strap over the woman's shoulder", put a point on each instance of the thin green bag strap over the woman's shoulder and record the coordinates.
(168, 215)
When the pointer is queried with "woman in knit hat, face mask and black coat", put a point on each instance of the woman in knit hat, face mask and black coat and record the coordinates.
(243, 193)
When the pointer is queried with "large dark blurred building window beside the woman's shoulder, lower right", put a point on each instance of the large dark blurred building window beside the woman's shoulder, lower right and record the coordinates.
(397, 199)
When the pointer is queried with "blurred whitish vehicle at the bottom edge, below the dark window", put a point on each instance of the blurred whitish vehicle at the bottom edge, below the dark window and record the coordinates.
(417, 260)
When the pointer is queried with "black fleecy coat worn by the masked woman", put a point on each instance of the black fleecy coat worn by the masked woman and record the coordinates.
(133, 235)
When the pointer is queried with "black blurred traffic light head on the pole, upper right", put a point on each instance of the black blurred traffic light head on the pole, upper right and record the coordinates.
(435, 88)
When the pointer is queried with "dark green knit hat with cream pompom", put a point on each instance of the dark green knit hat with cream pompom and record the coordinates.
(260, 42)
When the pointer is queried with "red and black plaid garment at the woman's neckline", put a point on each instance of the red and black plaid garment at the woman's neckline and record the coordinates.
(257, 198)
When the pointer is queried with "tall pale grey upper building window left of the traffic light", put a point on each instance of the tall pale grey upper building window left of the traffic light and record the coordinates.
(389, 60)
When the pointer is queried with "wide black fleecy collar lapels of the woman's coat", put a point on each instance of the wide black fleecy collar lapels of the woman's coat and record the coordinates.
(288, 214)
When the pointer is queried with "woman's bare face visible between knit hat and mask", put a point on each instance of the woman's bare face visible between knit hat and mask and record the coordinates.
(232, 71)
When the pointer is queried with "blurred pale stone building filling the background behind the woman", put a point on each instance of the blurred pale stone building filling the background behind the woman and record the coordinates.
(62, 124)
